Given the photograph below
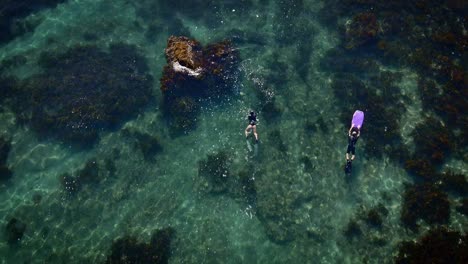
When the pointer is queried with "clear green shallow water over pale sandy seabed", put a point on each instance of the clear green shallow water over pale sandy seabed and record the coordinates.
(281, 47)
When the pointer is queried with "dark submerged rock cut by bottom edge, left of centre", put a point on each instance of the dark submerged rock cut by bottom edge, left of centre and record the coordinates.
(129, 250)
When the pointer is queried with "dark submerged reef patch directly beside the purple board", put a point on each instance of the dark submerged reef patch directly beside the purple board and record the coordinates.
(383, 111)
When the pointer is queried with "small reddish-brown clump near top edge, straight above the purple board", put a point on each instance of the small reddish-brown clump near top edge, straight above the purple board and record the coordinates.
(361, 29)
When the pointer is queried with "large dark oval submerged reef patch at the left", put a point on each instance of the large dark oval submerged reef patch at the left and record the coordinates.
(84, 91)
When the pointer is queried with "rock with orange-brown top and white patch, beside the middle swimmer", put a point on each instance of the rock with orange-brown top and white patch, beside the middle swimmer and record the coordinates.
(195, 74)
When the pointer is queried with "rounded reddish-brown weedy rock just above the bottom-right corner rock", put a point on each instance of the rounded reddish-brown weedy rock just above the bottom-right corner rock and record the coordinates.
(427, 202)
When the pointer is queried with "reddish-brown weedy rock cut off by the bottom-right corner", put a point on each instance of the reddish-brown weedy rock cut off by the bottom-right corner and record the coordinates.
(437, 246)
